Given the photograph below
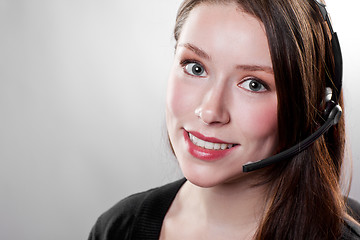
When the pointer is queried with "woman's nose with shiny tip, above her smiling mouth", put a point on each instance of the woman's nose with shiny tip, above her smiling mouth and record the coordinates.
(213, 108)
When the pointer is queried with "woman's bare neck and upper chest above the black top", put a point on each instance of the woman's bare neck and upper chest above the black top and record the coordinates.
(233, 208)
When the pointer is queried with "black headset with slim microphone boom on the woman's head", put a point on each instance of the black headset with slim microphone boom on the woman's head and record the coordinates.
(332, 112)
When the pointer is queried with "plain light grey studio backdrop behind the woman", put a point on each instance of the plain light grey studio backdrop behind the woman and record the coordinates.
(82, 98)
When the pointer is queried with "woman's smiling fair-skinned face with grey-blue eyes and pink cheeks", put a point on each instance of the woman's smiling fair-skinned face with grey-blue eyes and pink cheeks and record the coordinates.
(221, 102)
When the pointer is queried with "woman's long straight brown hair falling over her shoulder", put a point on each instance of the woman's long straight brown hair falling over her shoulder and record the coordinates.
(305, 200)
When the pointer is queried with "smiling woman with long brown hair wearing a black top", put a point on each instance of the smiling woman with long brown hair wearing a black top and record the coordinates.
(248, 81)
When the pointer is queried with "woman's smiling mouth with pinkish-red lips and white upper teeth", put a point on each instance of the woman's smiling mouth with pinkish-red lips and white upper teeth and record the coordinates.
(205, 148)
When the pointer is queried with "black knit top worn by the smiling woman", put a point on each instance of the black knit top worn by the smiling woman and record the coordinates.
(140, 216)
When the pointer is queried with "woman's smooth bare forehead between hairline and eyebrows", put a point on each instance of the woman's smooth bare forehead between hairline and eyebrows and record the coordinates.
(222, 31)
